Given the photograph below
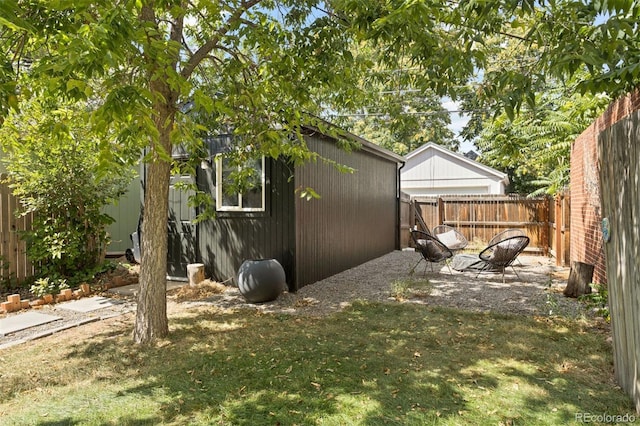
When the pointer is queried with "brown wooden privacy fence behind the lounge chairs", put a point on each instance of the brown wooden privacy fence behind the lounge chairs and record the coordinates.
(545, 220)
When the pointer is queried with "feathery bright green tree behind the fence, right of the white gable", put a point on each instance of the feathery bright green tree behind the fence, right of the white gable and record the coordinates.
(535, 146)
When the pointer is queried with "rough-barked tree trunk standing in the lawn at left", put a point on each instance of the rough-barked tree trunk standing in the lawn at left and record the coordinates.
(151, 314)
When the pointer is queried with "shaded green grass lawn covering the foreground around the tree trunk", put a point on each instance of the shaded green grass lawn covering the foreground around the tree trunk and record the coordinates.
(395, 363)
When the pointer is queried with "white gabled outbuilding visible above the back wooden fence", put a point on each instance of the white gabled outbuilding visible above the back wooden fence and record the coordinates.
(433, 170)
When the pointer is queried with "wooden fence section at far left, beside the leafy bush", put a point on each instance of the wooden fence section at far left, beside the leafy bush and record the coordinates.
(14, 264)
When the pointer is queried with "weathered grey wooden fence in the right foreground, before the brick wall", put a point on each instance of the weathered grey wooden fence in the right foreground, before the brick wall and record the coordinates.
(619, 177)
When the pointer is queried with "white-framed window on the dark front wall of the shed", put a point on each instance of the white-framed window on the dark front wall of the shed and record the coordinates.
(251, 199)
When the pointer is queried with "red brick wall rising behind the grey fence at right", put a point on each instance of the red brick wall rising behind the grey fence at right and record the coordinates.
(586, 219)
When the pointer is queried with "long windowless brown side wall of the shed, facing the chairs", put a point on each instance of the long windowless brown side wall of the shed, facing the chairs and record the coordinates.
(354, 221)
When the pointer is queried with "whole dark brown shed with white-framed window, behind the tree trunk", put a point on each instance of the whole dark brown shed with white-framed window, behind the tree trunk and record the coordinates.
(356, 218)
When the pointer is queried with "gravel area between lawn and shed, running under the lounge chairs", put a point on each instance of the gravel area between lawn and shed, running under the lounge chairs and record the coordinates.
(537, 292)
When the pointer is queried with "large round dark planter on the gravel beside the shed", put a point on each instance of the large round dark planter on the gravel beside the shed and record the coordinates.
(261, 280)
